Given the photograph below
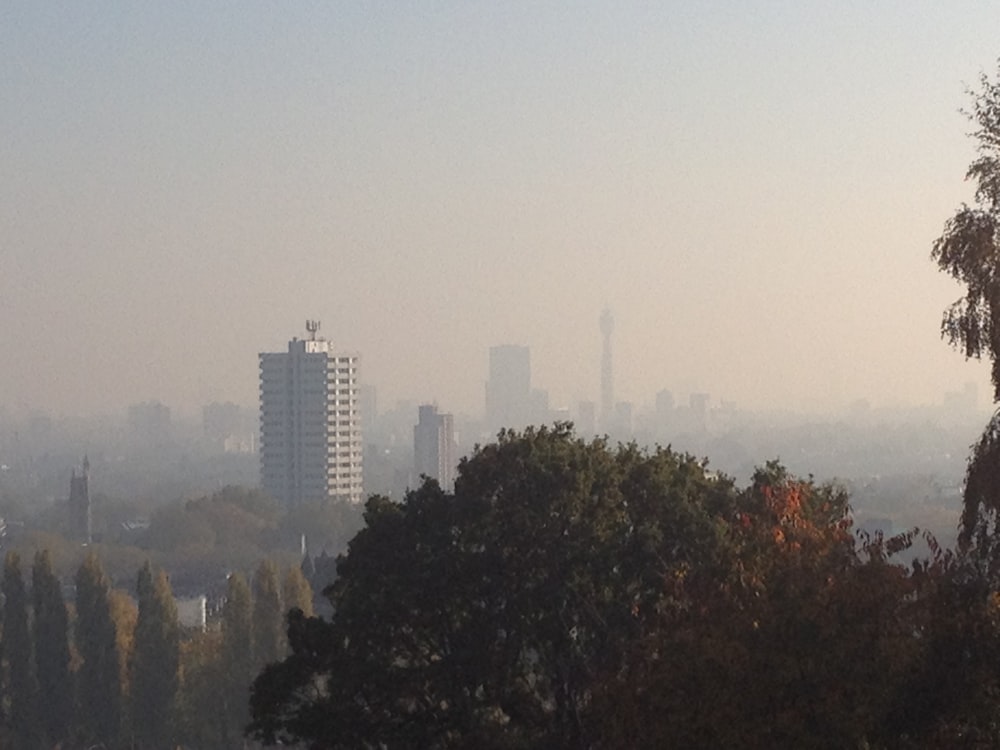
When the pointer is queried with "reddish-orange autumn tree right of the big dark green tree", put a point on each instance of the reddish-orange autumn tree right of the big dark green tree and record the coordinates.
(798, 640)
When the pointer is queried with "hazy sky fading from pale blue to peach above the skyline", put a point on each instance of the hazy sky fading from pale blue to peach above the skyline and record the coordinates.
(753, 188)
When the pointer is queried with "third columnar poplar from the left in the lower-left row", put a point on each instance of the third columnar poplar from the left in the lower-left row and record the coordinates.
(99, 678)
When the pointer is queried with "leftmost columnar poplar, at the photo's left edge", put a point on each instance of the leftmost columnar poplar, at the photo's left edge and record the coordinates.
(17, 653)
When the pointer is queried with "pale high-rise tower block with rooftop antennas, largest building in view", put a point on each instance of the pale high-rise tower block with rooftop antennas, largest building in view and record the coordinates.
(310, 425)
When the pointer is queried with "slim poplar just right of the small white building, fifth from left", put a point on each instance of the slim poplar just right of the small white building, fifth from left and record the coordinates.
(237, 658)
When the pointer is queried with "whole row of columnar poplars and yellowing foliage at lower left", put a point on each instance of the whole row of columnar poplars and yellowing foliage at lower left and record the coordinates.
(108, 670)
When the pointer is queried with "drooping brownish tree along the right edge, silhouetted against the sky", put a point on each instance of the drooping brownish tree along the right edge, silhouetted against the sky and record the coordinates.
(969, 250)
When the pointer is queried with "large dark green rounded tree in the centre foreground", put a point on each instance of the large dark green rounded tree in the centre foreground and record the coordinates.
(483, 618)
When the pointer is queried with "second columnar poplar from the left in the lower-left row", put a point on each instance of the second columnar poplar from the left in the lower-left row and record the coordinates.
(52, 655)
